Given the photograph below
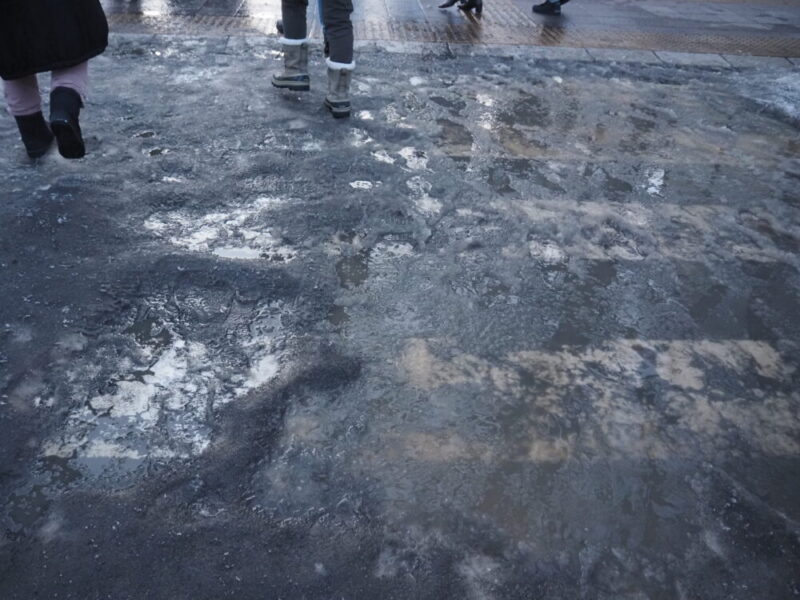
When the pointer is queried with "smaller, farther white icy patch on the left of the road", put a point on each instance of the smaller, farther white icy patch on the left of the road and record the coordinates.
(239, 233)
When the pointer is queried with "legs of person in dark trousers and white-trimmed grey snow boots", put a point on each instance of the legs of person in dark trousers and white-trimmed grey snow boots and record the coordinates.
(338, 33)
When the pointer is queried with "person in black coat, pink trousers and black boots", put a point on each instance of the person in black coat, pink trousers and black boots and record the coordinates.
(59, 36)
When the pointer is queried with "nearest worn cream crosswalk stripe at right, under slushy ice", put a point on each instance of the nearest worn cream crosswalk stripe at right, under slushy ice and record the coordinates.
(706, 415)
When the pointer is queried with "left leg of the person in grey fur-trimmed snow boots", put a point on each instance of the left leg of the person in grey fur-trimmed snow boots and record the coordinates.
(295, 47)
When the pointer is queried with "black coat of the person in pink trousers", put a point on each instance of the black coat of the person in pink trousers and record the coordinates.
(42, 35)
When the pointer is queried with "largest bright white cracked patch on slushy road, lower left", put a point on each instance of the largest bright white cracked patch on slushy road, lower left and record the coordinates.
(160, 399)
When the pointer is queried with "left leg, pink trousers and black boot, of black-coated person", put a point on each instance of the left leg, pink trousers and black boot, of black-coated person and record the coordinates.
(25, 104)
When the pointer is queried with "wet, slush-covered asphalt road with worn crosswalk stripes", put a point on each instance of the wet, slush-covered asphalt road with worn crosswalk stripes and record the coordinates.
(521, 328)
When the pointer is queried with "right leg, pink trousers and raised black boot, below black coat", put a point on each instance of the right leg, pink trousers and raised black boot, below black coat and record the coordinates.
(67, 92)
